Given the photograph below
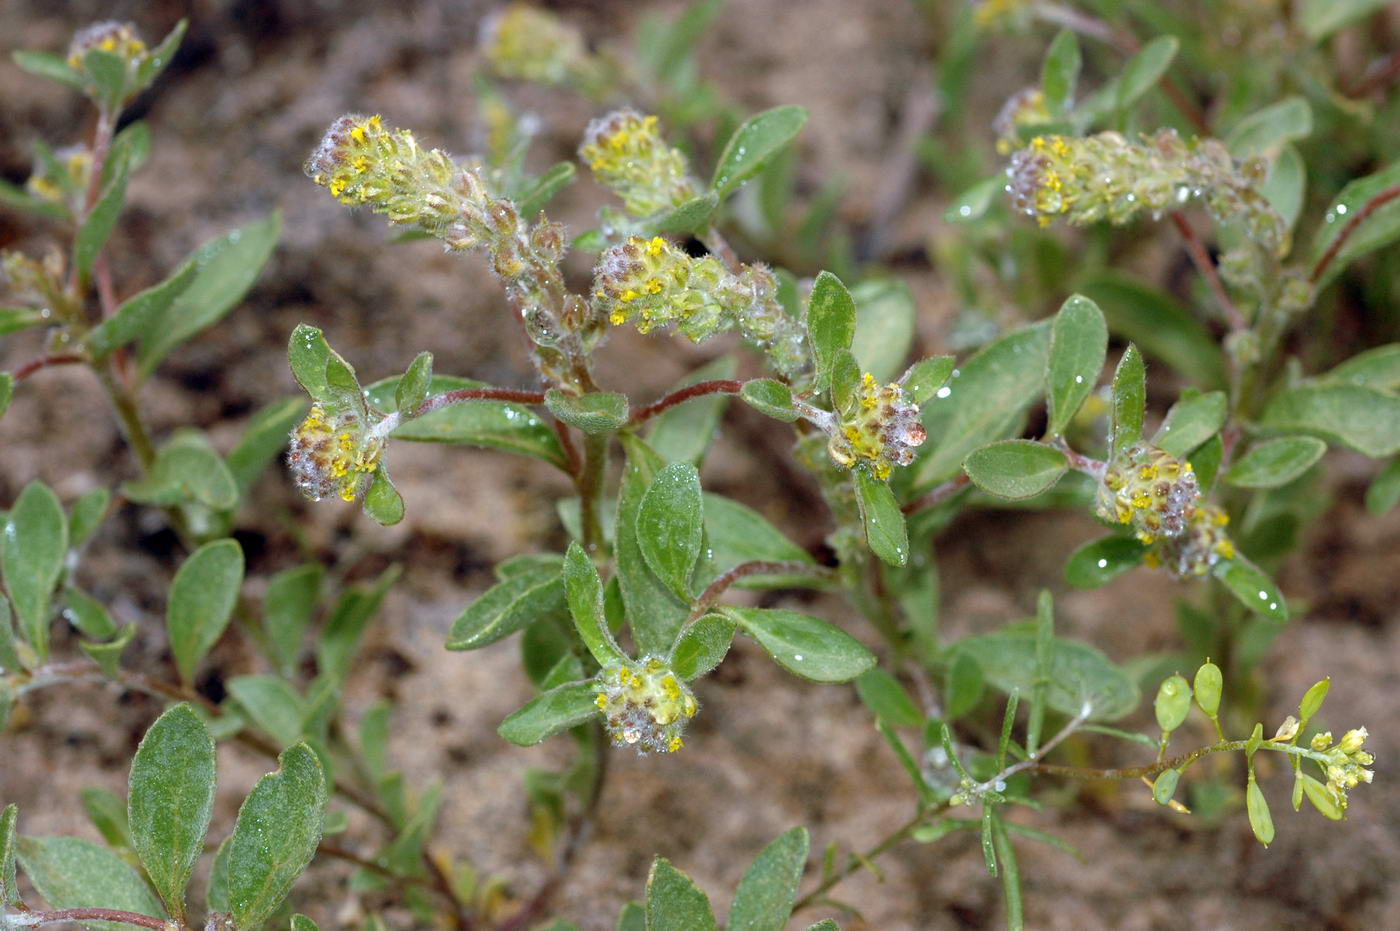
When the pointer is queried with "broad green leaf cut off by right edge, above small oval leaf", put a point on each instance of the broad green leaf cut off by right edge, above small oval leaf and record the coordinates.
(1361, 419)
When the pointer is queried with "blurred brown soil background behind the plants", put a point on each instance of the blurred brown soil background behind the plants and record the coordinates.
(250, 94)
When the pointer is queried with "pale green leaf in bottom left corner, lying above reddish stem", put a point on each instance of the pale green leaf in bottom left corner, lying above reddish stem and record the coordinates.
(78, 874)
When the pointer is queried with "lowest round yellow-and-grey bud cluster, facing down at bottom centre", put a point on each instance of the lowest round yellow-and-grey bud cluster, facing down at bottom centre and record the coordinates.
(646, 705)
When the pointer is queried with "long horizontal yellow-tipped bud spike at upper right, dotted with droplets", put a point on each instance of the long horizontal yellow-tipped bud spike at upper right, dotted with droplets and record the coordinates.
(1108, 177)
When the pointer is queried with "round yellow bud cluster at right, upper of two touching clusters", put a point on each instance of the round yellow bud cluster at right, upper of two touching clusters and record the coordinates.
(1150, 489)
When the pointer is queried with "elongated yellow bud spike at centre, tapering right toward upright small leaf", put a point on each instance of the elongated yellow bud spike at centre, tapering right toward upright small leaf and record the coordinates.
(653, 283)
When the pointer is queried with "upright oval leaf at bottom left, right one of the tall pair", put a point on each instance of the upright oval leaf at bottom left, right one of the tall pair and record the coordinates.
(276, 835)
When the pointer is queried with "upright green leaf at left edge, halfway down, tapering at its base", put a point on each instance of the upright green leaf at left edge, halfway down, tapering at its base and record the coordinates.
(36, 542)
